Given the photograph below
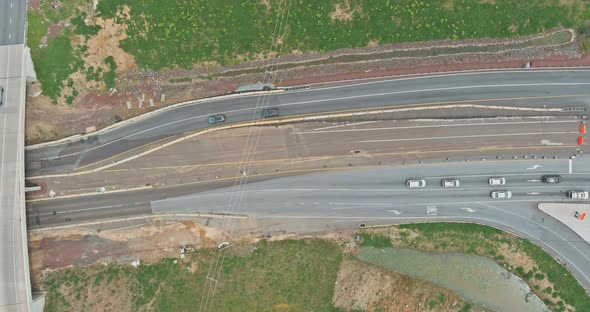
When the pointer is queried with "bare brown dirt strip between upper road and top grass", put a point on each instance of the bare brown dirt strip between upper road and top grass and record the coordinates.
(94, 107)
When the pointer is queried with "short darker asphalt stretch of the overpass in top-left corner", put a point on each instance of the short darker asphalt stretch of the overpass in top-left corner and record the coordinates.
(12, 22)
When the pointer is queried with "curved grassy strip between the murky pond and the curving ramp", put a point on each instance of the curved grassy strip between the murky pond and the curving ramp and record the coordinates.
(502, 247)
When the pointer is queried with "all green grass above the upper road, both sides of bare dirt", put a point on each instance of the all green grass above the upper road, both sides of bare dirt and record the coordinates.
(160, 35)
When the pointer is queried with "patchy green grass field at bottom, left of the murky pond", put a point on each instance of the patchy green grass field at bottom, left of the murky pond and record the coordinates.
(278, 276)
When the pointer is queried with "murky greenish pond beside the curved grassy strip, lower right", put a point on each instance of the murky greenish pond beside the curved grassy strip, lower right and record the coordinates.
(478, 279)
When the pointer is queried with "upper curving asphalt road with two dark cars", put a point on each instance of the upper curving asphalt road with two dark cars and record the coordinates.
(519, 88)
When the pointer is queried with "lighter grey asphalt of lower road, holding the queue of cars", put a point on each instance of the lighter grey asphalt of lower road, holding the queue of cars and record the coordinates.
(381, 194)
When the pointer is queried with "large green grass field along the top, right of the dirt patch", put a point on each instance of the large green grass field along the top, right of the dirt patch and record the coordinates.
(163, 35)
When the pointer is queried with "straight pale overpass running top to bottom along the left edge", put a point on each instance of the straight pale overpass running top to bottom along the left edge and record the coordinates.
(15, 286)
